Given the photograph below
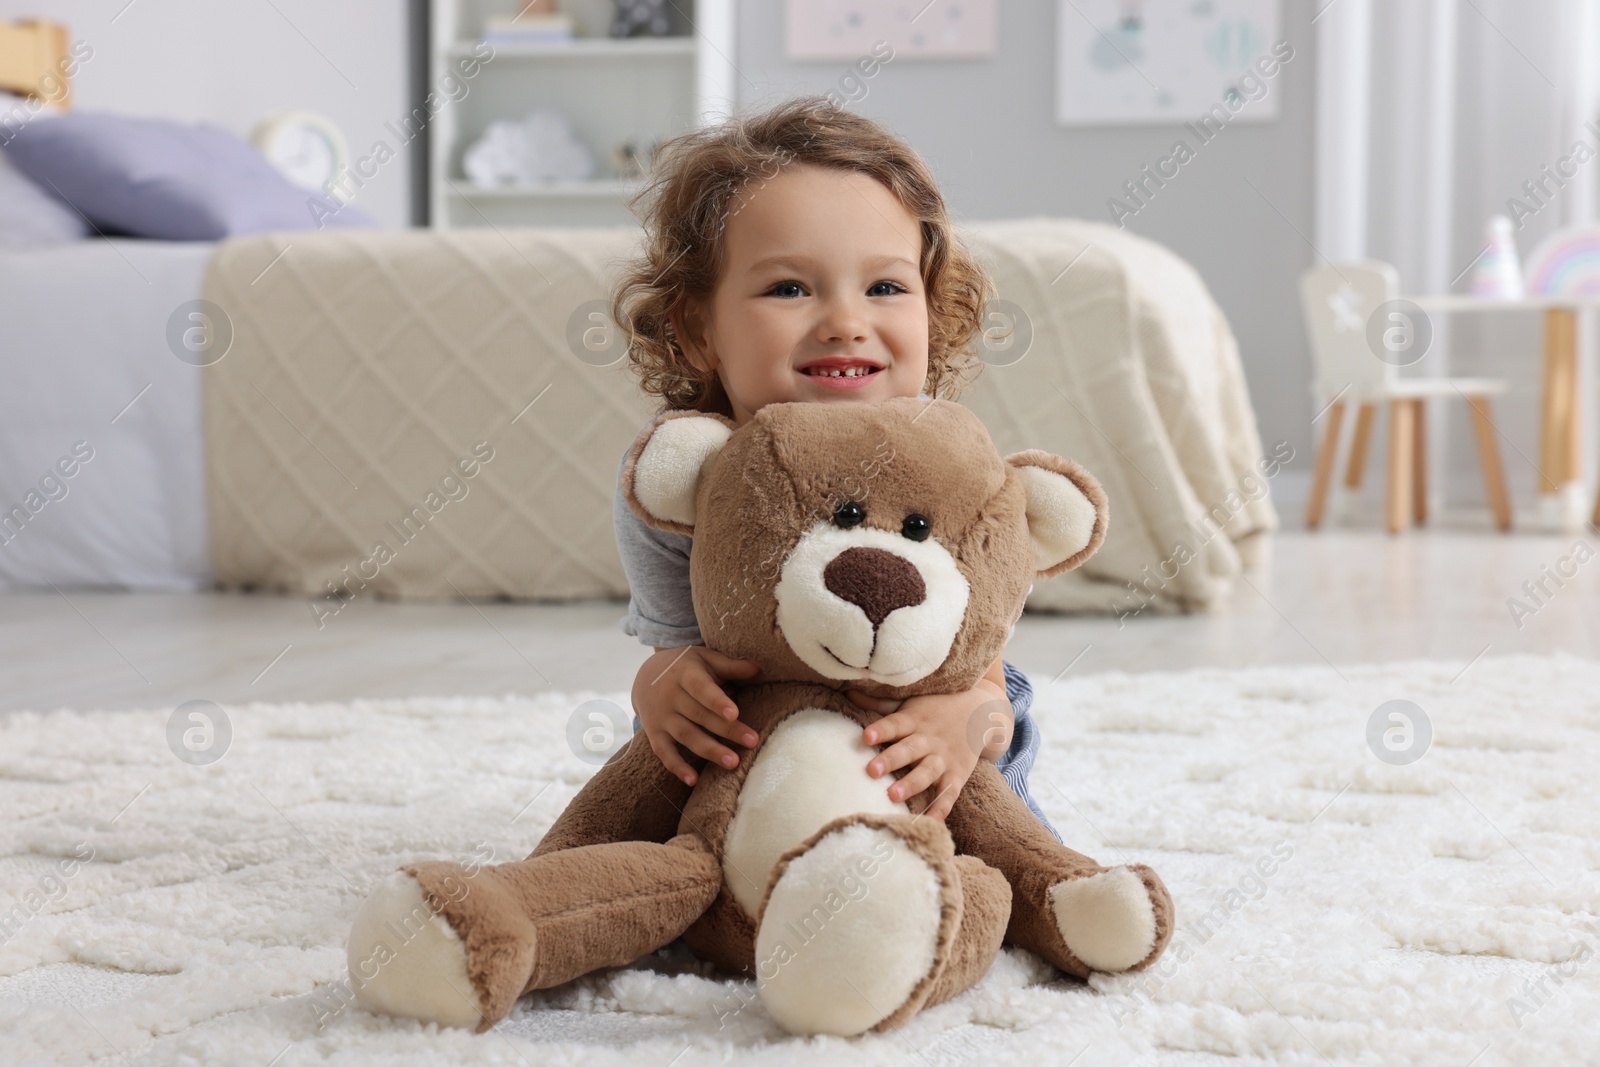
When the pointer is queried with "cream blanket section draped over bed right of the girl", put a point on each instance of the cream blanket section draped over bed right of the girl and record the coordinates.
(1134, 372)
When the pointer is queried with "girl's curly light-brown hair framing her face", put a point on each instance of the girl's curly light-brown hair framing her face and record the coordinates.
(694, 186)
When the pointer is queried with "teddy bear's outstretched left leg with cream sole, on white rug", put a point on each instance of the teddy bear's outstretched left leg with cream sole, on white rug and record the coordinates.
(458, 946)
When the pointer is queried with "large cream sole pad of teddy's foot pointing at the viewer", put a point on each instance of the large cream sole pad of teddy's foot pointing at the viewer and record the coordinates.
(850, 932)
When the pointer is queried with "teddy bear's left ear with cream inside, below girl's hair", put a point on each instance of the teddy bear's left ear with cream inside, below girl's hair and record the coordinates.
(666, 466)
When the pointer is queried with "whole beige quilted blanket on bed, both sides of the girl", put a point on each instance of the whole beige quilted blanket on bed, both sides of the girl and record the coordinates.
(404, 414)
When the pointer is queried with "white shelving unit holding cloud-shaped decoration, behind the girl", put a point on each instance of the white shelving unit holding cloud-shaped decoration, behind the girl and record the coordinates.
(500, 63)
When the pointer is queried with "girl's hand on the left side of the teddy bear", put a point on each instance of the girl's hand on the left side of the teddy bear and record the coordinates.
(679, 700)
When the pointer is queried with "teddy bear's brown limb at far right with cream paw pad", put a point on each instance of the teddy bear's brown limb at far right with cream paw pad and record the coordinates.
(1074, 913)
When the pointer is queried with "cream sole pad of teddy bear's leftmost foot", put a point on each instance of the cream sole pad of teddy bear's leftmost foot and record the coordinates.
(407, 961)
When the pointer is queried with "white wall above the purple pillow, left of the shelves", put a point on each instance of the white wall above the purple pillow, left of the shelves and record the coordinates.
(234, 63)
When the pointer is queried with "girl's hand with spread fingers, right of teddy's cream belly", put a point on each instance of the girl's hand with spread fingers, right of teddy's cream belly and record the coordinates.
(943, 735)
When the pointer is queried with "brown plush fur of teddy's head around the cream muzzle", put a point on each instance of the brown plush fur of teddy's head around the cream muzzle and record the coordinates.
(796, 463)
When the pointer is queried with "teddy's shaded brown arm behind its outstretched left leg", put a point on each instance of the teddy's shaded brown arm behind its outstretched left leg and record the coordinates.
(633, 797)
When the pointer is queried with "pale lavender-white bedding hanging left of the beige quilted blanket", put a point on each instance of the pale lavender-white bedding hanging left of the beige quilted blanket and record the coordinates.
(82, 335)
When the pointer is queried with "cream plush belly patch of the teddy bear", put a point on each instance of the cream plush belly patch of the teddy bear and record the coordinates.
(812, 770)
